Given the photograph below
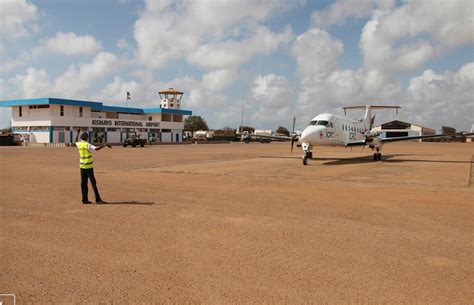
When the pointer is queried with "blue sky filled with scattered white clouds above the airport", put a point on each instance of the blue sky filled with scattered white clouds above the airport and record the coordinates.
(279, 59)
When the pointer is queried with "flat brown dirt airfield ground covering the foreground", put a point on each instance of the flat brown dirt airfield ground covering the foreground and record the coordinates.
(240, 223)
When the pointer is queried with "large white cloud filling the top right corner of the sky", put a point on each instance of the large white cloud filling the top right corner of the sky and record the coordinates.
(405, 38)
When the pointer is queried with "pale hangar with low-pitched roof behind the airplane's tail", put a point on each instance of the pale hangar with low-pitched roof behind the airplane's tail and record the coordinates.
(402, 129)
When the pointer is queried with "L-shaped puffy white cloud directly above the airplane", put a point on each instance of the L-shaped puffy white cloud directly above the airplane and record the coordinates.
(325, 87)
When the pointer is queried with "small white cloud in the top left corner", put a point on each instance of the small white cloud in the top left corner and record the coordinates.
(17, 18)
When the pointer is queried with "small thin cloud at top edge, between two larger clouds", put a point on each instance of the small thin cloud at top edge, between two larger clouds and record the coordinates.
(339, 11)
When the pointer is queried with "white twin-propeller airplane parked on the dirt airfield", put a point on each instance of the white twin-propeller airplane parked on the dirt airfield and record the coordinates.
(333, 130)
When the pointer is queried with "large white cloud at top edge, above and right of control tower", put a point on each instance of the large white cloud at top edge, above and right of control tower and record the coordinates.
(167, 31)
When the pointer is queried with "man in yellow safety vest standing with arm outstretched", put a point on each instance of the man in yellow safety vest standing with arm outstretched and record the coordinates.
(87, 167)
